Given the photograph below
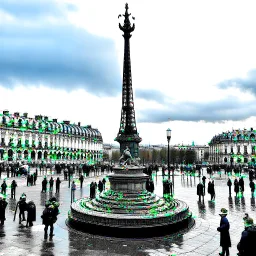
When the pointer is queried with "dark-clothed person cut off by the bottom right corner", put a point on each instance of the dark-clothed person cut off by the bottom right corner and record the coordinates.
(246, 246)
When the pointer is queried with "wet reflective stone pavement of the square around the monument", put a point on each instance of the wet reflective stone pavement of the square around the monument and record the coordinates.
(202, 239)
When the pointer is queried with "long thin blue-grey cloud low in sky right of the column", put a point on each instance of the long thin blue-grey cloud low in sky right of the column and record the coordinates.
(218, 111)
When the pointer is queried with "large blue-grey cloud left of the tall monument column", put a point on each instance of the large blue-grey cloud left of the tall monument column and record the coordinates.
(55, 55)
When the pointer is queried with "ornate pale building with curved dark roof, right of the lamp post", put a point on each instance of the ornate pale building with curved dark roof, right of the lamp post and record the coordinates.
(233, 147)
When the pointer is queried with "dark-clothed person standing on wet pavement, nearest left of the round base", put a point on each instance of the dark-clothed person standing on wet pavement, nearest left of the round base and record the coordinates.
(49, 218)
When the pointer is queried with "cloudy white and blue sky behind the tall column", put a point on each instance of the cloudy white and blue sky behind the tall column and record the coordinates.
(193, 64)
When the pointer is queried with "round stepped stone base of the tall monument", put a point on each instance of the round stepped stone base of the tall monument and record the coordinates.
(128, 210)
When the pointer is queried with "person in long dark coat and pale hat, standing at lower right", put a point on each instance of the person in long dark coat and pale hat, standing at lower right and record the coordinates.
(225, 241)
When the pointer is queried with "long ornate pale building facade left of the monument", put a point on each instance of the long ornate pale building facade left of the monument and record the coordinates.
(41, 139)
